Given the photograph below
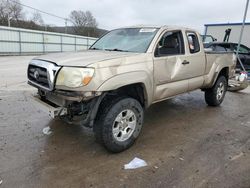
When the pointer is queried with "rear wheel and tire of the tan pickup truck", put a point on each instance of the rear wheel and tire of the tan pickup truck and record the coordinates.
(215, 95)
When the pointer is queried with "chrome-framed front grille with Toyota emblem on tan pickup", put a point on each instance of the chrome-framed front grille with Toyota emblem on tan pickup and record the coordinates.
(42, 74)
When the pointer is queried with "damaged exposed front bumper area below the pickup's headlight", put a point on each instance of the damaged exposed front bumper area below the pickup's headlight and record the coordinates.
(77, 107)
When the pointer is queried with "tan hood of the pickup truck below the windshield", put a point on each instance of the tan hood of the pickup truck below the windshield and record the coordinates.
(83, 58)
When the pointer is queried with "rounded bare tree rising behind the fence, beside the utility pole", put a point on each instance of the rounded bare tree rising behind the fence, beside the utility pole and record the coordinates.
(84, 23)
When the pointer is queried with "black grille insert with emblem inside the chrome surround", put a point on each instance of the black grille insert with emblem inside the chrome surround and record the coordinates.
(38, 75)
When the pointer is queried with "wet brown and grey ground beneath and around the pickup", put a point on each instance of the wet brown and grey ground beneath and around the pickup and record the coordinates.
(185, 143)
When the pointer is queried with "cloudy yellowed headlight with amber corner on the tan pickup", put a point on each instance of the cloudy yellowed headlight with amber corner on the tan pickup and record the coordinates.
(74, 77)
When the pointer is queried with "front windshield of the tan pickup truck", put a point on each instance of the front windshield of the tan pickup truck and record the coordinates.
(128, 40)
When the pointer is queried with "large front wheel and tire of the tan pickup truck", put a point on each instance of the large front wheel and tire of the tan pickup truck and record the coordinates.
(119, 123)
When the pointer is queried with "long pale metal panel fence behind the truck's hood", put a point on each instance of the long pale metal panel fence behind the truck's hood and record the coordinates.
(16, 41)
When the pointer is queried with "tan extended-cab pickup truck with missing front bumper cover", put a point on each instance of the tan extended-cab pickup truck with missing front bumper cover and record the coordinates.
(109, 86)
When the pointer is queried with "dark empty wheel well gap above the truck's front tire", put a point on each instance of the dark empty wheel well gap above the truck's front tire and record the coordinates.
(136, 91)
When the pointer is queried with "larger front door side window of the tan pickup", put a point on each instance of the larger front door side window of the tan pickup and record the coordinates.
(171, 43)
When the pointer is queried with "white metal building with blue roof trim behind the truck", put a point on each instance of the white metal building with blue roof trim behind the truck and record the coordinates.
(218, 32)
